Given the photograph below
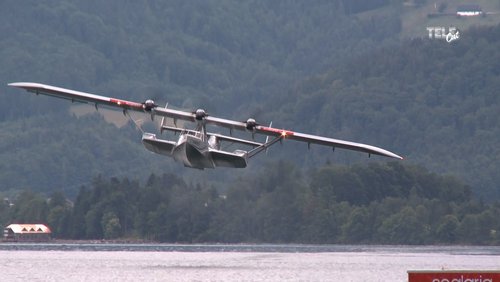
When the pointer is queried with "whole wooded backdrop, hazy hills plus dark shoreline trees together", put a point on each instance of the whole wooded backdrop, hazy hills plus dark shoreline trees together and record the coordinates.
(335, 68)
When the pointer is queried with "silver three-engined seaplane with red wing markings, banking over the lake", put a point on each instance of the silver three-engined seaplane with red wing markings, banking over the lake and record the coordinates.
(197, 148)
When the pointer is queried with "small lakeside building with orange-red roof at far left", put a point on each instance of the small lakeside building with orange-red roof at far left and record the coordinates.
(27, 232)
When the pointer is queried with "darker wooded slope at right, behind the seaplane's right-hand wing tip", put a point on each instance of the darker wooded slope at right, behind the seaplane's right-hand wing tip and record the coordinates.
(435, 103)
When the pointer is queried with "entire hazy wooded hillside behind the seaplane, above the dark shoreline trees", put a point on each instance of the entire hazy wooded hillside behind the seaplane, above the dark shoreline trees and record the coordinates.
(321, 67)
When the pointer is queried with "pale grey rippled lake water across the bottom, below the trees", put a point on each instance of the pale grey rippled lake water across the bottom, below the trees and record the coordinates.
(142, 262)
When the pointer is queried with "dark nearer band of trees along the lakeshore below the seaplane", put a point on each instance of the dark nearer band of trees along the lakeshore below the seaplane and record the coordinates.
(374, 203)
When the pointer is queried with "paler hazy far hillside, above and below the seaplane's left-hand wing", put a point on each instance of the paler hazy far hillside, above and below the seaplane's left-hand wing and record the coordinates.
(231, 58)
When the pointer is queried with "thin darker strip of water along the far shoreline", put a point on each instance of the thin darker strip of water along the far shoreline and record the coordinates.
(142, 246)
